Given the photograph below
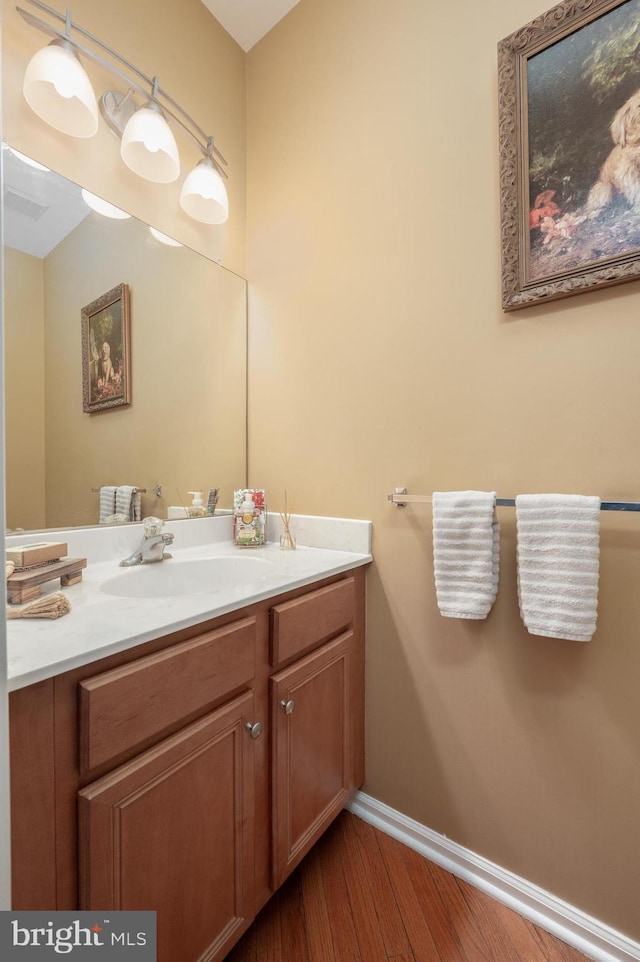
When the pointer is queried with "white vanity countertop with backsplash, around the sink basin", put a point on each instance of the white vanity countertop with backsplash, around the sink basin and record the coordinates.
(100, 624)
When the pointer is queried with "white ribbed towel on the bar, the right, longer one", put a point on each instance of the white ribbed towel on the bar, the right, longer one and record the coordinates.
(558, 564)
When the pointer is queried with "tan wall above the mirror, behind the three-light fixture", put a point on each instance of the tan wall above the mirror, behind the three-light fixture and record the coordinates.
(197, 63)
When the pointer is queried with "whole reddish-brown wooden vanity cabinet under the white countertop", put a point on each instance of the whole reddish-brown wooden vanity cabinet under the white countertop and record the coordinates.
(178, 777)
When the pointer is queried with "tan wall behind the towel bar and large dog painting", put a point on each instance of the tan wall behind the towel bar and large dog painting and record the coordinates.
(380, 356)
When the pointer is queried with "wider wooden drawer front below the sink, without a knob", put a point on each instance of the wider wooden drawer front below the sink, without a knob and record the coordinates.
(122, 708)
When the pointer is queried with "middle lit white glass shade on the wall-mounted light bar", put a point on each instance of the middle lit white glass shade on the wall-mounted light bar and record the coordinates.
(149, 148)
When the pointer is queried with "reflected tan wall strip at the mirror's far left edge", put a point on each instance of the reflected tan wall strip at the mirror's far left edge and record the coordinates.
(24, 389)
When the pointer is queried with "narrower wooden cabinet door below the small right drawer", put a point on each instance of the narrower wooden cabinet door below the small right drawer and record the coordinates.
(311, 751)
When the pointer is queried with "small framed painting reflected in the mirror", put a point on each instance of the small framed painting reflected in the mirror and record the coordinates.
(106, 358)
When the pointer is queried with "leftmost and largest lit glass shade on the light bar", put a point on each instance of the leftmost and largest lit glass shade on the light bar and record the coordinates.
(58, 90)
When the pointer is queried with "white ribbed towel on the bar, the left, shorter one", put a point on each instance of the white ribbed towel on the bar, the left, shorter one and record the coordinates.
(465, 552)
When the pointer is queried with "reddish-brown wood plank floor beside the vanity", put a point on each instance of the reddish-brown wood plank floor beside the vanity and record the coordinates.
(361, 896)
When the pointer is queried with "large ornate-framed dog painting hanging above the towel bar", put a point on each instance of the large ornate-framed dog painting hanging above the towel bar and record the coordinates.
(569, 90)
